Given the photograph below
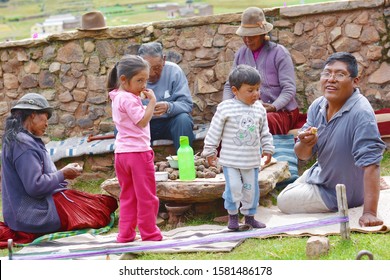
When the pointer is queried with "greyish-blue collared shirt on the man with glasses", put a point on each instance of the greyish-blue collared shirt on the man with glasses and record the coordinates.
(346, 144)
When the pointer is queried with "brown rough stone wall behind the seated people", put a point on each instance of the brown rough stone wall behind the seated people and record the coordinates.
(70, 69)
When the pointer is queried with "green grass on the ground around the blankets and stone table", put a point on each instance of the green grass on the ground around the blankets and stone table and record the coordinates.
(277, 248)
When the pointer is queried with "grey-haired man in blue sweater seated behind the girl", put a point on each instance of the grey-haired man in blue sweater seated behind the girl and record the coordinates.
(172, 116)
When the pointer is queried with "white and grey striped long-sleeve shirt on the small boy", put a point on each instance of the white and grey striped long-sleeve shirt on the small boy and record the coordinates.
(243, 130)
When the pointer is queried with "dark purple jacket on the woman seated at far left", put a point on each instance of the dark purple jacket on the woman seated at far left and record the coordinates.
(29, 179)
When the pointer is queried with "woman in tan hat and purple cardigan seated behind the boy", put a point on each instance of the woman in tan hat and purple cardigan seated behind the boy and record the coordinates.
(274, 63)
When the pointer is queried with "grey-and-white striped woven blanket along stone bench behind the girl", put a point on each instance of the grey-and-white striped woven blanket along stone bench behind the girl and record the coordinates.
(78, 146)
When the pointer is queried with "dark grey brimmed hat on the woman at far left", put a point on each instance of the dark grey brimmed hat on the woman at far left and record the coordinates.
(33, 101)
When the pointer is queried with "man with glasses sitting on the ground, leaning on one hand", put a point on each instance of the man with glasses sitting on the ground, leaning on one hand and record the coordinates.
(348, 145)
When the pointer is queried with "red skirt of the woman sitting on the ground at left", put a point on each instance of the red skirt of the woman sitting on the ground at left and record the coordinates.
(80, 210)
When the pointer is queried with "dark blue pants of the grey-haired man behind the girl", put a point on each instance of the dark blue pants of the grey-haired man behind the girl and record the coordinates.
(173, 128)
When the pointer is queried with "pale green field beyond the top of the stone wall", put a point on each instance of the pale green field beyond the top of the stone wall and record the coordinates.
(18, 16)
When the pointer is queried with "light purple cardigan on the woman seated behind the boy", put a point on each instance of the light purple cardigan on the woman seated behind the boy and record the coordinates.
(277, 74)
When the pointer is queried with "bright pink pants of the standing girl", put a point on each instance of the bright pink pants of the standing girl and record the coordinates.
(138, 203)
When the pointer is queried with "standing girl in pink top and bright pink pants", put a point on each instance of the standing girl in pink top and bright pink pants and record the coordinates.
(134, 158)
